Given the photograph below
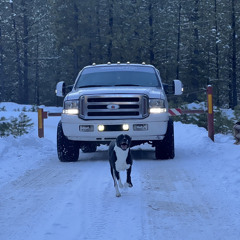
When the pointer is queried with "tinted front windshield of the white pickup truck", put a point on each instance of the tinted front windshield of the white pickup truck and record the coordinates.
(118, 76)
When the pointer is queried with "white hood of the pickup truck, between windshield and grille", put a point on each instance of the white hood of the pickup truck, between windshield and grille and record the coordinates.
(151, 92)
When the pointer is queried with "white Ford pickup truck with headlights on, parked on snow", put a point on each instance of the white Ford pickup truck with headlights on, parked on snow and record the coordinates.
(107, 100)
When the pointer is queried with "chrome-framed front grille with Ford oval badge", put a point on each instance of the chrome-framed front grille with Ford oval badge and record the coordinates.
(121, 106)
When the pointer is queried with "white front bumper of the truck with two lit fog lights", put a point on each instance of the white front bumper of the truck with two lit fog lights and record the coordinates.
(148, 129)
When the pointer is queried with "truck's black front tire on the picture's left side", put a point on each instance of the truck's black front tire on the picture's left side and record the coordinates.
(68, 151)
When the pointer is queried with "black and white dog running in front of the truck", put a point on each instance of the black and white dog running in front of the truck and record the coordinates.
(120, 159)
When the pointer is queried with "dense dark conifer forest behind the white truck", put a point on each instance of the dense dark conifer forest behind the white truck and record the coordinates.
(43, 42)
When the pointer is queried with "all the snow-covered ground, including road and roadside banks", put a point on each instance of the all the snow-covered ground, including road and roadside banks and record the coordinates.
(195, 196)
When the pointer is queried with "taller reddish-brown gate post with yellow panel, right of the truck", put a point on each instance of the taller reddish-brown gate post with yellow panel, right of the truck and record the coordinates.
(210, 113)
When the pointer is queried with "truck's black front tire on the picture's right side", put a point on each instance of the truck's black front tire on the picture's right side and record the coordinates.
(165, 149)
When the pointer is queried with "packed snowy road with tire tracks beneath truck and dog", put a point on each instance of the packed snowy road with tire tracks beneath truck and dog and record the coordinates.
(77, 201)
